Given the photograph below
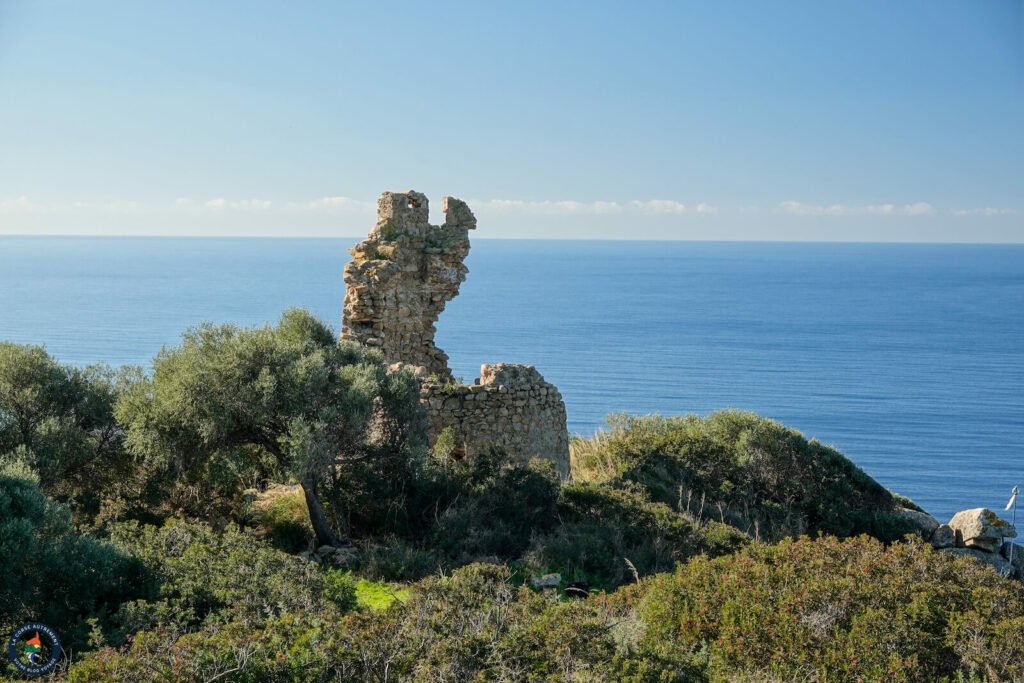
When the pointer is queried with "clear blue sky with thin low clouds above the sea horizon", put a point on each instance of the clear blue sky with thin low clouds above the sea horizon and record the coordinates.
(841, 120)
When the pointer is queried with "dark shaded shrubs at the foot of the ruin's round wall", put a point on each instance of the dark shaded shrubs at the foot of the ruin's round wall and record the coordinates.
(494, 507)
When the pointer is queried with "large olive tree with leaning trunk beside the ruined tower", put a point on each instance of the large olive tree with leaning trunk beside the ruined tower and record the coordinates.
(289, 392)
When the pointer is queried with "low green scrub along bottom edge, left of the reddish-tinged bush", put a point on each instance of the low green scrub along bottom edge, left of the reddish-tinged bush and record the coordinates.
(475, 625)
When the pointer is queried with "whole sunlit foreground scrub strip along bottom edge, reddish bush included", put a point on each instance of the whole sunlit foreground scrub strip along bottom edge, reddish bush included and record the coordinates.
(826, 610)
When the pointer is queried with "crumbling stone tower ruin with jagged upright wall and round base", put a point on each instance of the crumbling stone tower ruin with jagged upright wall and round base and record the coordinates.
(397, 286)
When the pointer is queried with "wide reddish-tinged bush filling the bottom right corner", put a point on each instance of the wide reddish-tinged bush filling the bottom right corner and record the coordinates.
(831, 610)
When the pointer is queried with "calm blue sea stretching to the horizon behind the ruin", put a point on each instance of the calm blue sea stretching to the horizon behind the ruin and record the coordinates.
(910, 359)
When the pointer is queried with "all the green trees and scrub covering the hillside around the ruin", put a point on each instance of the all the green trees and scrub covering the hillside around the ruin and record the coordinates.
(164, 524)
